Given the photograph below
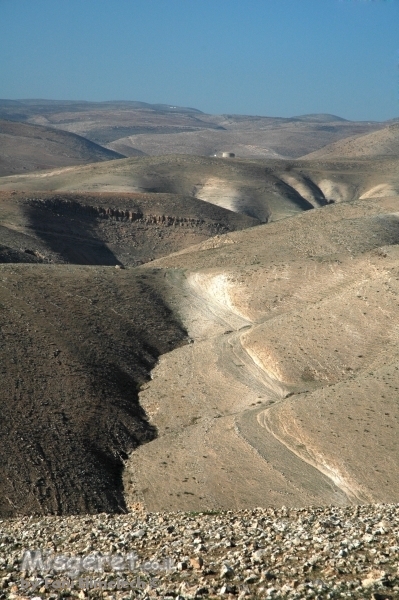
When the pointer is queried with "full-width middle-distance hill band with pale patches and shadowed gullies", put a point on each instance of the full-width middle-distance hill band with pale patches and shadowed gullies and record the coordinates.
(267, 190)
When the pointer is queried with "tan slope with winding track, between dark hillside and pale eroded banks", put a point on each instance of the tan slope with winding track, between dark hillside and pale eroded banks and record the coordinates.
(213, 448)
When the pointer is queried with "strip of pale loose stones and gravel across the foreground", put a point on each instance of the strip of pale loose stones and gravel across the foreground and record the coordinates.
(328, 552)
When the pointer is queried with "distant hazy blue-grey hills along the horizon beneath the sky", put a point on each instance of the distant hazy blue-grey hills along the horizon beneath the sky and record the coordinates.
(132, 128)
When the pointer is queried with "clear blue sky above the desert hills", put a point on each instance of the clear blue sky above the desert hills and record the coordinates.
(265, 57)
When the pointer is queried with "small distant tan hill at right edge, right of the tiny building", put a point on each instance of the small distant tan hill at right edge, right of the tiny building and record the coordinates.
(384, 142)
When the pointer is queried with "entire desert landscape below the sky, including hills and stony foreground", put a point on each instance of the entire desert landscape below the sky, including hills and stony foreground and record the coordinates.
(199, 354)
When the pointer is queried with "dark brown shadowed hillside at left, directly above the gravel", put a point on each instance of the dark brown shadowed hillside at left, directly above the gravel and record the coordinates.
(76, 344)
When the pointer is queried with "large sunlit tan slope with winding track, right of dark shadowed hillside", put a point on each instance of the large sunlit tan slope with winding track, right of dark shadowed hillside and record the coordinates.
(289, 390)
